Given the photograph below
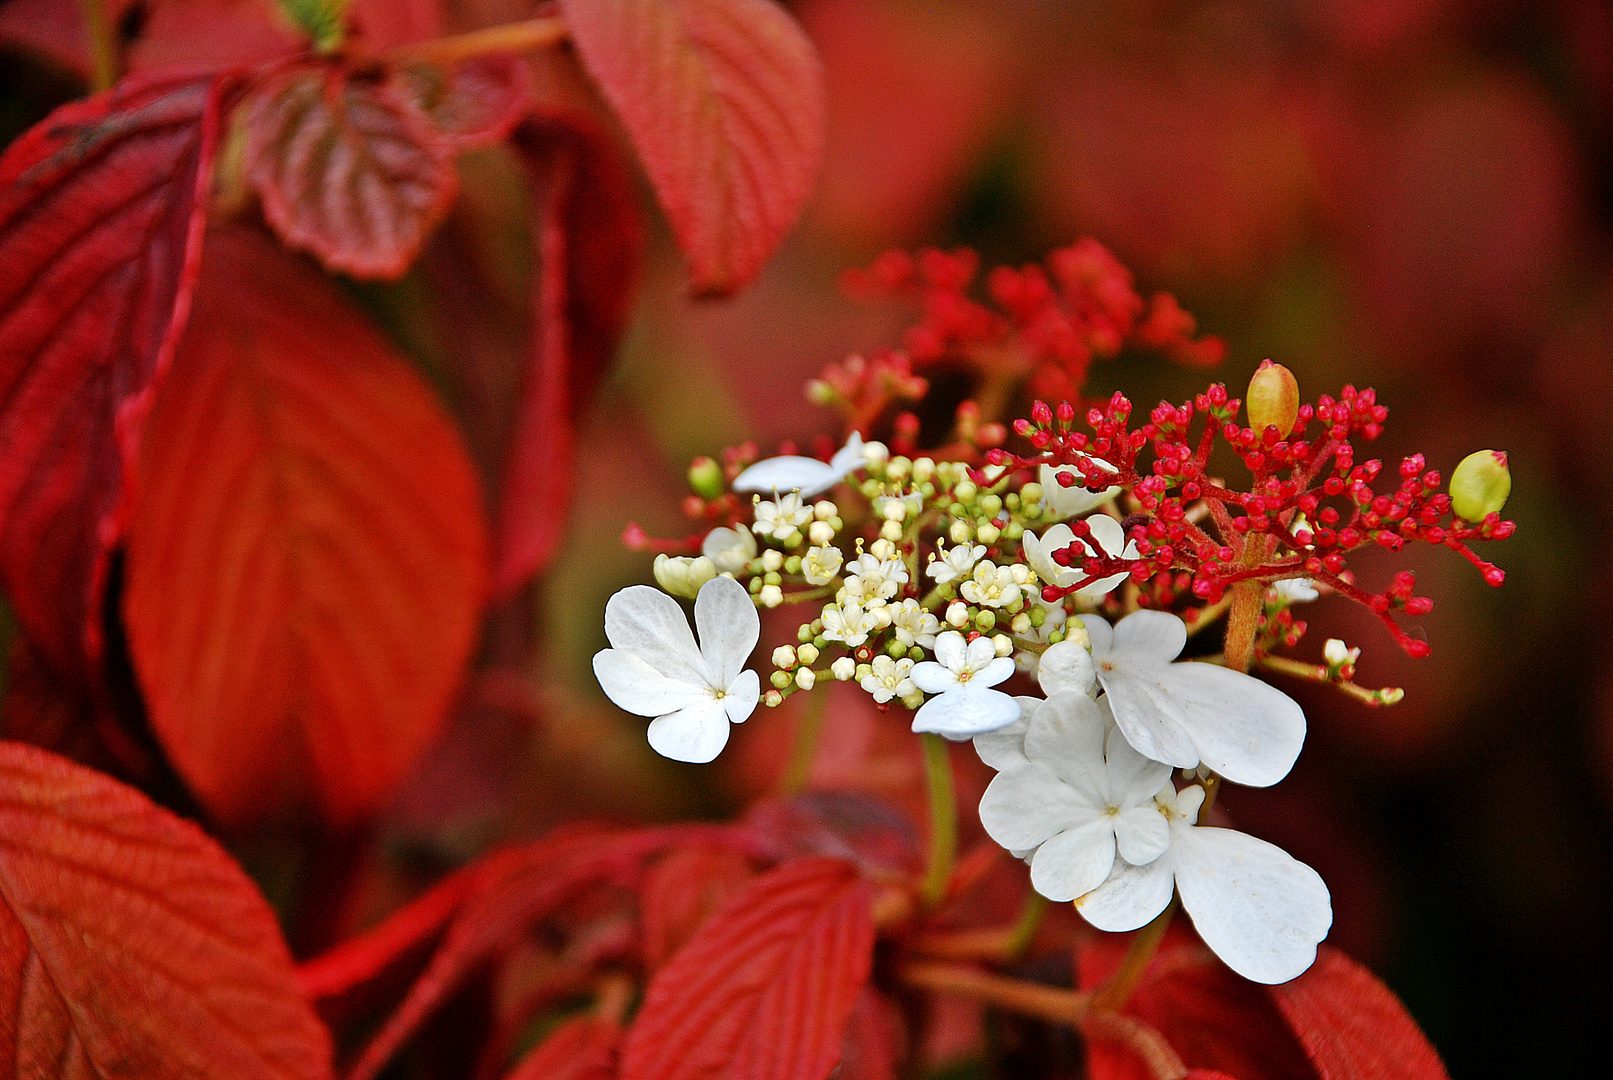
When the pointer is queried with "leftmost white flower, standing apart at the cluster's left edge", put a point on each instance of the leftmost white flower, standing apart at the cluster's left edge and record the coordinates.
(654, 667)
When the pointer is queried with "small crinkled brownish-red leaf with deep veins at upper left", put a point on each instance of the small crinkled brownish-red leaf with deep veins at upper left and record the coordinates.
(348, 168)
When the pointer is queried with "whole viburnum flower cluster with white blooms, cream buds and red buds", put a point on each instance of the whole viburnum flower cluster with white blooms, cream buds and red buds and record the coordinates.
(1083, 557)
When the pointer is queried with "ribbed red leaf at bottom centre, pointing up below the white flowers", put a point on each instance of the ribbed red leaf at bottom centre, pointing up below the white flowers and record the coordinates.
(765, 991)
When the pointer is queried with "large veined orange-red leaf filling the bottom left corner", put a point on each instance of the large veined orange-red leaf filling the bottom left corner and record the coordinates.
(131, 945)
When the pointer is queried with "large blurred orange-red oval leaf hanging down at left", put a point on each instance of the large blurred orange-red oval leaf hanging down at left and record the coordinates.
(307, 555)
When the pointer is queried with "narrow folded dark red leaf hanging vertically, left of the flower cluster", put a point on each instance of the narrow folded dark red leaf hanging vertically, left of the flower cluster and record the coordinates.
(586, 251)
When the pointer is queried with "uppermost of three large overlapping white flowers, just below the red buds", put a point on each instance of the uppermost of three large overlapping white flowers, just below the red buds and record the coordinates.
(1182, 715)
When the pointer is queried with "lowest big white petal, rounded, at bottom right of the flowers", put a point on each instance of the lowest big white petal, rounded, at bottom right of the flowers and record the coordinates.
(1257, 907)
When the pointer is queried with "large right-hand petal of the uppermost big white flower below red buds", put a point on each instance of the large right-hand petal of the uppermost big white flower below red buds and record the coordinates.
(1248, 731)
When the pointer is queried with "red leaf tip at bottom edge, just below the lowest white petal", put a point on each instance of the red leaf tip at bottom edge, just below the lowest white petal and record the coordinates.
(1353, 1026)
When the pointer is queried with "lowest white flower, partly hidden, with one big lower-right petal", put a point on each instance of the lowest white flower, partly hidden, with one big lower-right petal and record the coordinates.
(1259, 908)
